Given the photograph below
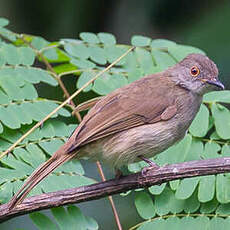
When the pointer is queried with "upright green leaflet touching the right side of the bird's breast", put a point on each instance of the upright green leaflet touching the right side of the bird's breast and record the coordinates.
(199, 126)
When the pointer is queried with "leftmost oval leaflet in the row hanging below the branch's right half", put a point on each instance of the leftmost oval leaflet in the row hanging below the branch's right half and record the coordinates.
(144, 205)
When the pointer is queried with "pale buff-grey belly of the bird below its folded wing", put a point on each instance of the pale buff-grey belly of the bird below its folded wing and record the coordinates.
(125, 147)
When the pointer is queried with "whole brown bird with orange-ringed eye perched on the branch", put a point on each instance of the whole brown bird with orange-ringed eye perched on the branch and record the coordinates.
(137, 121)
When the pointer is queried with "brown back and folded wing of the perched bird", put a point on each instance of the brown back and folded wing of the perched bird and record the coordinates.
(136, 104)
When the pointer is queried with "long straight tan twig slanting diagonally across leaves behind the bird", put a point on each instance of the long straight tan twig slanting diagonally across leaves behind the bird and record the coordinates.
(63, 104)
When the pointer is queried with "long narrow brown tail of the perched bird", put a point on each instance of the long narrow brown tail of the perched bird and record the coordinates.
(39, 174)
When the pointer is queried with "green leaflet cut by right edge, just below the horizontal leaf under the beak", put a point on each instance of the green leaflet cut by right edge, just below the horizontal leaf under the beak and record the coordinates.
(220, 114)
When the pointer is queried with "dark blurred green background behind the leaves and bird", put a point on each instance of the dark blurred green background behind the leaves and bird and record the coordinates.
(203, 24)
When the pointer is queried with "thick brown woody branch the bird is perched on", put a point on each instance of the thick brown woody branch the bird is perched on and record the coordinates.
(152, 176)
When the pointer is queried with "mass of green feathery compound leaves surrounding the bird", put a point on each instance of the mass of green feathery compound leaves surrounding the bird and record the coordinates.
(200, 201)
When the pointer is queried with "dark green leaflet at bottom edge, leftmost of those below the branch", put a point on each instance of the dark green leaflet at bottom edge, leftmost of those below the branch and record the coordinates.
(42, 221)
